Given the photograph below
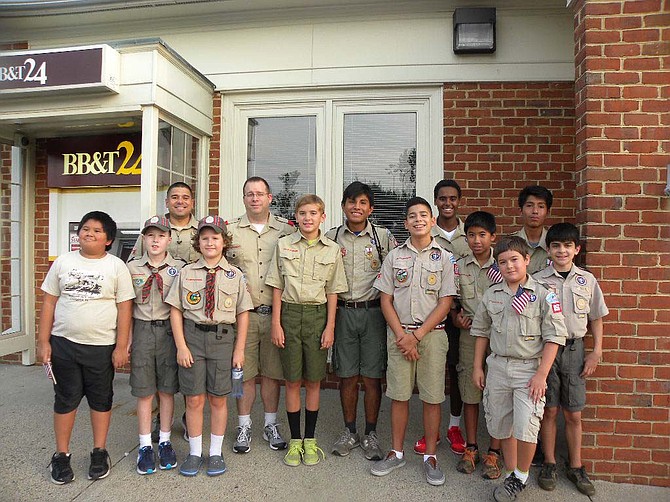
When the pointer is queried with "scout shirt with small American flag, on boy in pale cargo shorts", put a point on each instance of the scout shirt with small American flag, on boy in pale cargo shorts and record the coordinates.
(522, 335)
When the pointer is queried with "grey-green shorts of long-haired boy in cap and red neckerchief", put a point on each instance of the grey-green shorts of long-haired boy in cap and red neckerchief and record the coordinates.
(212, 353)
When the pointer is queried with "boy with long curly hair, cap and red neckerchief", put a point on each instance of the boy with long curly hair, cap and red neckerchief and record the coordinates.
(209, 297)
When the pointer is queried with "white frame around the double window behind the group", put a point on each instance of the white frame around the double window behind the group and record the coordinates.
(329, 106)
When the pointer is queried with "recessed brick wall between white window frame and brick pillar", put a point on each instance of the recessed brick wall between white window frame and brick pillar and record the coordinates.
(500, 137)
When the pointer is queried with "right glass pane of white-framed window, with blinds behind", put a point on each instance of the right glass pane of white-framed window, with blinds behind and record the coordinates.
(380, 150)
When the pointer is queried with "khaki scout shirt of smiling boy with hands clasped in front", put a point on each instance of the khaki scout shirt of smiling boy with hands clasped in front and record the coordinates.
(417, 280)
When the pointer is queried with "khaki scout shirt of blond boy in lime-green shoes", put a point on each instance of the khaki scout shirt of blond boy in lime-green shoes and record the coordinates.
(305, 273)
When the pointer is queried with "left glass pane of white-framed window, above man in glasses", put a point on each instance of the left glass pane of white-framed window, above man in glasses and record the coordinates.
(283, 151)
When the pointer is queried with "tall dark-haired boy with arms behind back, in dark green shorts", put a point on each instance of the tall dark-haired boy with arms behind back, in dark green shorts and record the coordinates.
(360, 328)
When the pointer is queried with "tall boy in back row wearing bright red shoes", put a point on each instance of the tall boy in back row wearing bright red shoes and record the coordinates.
(450, 234)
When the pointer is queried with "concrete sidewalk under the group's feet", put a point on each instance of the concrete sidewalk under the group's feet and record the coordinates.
(26, 443)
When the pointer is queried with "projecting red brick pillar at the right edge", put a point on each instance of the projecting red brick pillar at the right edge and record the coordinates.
(622, 61)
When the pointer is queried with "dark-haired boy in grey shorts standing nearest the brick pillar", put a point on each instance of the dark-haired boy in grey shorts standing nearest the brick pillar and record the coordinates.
(583, 305)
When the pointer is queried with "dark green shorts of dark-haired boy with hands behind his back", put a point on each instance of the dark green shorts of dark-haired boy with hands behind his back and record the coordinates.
(360, 343)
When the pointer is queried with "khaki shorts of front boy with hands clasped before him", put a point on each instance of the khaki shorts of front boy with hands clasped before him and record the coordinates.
(428, 372)
